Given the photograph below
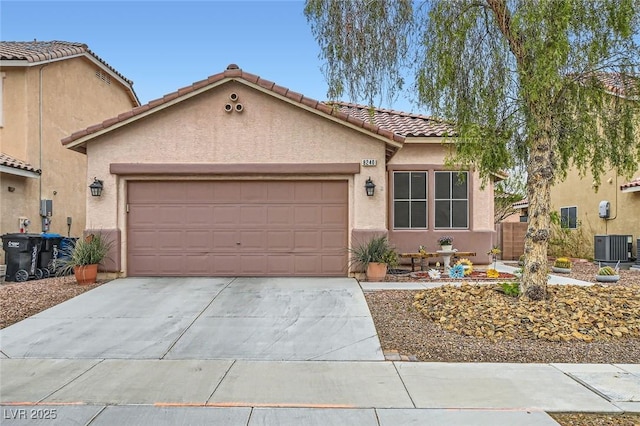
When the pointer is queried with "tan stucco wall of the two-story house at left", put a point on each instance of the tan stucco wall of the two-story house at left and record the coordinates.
(72, 98)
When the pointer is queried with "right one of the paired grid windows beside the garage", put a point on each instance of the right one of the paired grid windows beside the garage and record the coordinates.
(451, 200)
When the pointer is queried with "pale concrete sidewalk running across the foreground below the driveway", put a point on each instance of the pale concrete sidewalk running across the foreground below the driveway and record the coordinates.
(311, 392)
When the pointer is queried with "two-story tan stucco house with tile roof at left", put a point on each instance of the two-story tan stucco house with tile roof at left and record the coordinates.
(47, 90)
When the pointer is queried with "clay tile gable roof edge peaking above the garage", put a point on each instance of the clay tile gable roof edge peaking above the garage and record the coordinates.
(235, 72)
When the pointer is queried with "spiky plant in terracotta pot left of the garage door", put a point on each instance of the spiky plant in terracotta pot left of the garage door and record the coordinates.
(83, 258)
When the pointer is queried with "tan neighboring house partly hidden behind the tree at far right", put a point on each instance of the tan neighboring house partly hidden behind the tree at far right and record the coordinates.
(578, 199)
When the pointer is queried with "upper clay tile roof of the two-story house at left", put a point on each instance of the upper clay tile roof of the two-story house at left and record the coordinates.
(44, 51)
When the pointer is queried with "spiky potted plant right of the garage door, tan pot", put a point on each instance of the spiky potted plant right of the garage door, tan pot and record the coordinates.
(375, 256)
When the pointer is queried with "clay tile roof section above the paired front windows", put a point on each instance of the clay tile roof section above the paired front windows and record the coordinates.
(397, 122)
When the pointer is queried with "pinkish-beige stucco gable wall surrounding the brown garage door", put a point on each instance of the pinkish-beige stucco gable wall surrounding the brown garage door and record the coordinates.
(269, 130)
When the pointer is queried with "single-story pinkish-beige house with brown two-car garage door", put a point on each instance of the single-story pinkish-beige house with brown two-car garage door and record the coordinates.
(235, 175)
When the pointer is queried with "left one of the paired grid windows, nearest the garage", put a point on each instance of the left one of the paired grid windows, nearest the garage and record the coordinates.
(410, 200)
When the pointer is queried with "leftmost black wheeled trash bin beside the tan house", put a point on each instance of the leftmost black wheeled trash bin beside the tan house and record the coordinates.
(21, 255)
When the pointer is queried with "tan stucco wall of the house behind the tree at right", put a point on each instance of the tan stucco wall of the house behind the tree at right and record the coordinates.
(581, 193)
